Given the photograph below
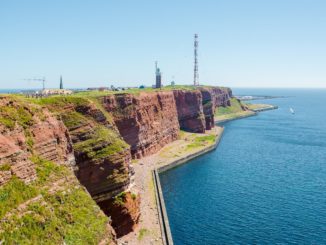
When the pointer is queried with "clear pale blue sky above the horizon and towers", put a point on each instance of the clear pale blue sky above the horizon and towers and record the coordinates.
(252, 43)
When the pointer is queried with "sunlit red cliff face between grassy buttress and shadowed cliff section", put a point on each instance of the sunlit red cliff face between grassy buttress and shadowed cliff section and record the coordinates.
(147, 121)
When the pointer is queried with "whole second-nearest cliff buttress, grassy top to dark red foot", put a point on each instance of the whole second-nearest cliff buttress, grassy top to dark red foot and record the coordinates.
(103, 160)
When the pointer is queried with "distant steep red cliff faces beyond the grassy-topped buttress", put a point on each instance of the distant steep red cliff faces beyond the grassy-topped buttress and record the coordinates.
(149, 121)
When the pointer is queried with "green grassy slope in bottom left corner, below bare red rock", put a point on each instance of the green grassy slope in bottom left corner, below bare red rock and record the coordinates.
(54, 209)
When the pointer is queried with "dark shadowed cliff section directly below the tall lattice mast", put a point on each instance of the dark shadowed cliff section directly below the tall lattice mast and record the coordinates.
(190, 110)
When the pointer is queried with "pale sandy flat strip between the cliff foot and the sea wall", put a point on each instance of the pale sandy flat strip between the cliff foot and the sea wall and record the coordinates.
(149, 231)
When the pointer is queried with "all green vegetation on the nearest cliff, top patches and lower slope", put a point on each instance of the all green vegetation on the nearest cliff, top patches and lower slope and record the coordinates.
(54, 208)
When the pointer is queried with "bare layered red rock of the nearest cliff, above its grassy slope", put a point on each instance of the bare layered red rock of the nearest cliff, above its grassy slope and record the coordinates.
(46, 136)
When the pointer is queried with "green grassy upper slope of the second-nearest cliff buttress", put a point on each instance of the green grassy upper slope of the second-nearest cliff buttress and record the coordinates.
(72, 111)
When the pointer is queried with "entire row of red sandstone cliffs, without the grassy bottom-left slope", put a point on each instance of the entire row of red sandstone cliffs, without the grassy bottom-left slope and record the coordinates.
(95, 136)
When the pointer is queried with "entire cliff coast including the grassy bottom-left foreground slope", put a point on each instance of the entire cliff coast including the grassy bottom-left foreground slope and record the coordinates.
(69, 153)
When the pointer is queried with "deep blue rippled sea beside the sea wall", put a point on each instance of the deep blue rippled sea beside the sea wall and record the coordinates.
(265, 183)
